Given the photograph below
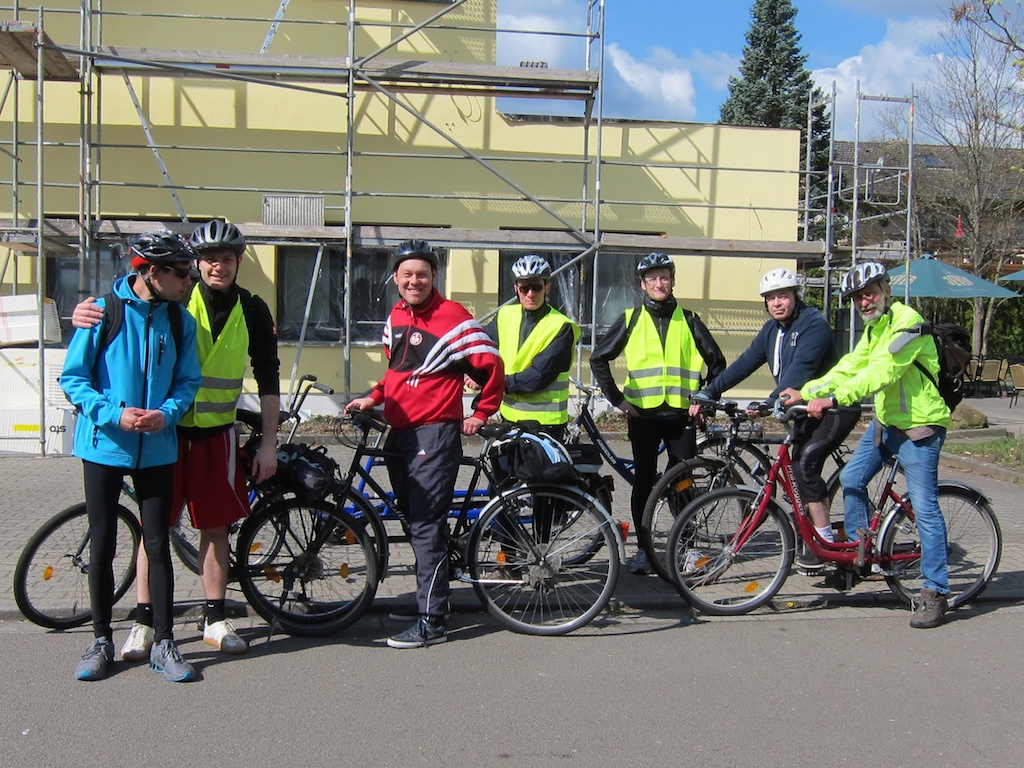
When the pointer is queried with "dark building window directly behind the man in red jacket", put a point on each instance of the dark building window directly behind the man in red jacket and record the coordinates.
(374, 293)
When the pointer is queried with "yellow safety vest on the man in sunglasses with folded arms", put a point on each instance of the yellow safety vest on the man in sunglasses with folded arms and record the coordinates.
(551, 405)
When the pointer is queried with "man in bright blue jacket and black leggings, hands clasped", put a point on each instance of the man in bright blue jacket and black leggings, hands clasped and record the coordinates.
(132, 389)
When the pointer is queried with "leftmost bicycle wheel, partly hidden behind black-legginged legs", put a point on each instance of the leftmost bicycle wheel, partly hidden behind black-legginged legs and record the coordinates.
(52, 579)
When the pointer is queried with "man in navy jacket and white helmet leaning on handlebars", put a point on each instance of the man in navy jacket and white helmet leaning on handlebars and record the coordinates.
(797, 344)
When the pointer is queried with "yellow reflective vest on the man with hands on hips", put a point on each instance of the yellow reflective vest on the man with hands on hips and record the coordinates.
(661, 374)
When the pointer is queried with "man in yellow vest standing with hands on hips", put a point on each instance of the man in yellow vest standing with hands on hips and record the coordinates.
(670, 354)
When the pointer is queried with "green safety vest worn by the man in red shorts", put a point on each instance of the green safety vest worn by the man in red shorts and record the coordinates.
(224, 365)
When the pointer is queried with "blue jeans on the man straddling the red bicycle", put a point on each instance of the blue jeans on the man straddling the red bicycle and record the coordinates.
(921, 467)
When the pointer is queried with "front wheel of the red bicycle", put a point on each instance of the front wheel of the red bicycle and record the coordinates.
(712, 572)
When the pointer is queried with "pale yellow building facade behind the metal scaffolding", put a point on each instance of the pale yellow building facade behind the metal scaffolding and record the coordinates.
(331, 132)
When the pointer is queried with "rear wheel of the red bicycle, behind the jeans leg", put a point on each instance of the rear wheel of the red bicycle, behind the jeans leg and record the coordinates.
(974, 544)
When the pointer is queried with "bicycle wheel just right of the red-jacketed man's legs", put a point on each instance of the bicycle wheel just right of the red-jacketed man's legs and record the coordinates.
(525, 557)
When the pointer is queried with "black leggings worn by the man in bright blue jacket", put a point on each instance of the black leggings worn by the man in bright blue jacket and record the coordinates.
(153, 489)
